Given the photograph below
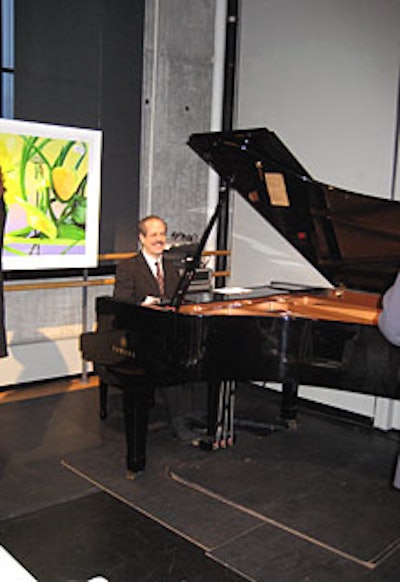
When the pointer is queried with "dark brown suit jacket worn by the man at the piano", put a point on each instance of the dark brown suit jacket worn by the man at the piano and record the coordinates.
(134, 279)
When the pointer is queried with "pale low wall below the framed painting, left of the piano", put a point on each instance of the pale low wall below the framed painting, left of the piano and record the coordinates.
(43, 331)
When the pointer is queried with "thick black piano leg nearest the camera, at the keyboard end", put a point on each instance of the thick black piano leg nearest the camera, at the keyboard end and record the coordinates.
(136, 400)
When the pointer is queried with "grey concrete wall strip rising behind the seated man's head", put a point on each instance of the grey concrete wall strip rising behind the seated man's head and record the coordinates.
(177, 101)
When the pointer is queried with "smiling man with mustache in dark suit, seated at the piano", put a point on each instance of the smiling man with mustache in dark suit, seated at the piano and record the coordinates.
(149, 279)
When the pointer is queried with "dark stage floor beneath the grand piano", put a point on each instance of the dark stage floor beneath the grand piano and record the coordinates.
(311, 505)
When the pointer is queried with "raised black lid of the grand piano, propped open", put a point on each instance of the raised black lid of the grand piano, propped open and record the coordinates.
(352, 239)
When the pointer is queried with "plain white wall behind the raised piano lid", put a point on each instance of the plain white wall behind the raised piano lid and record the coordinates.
(324, 75)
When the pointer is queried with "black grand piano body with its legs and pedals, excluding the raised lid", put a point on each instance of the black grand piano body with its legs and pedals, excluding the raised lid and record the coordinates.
(161, 347)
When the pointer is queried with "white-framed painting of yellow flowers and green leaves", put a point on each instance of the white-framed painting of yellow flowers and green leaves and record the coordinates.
(52, 182)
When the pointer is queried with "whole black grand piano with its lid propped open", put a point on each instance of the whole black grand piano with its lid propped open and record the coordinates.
(290, 334)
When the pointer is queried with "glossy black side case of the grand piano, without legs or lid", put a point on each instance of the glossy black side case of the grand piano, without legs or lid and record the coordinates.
(179, 347)
